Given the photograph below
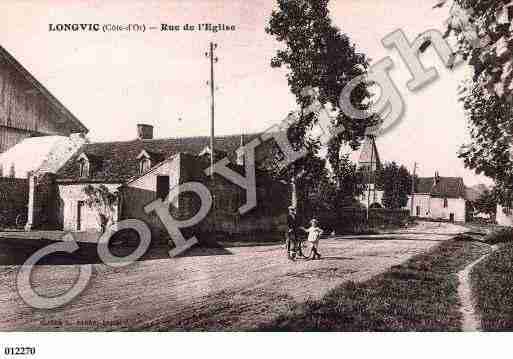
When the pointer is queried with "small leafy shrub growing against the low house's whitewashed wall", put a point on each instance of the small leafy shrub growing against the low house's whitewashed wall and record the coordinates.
(103, 201)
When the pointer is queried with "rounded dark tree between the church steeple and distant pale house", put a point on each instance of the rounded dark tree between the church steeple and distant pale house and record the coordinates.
(395, 181)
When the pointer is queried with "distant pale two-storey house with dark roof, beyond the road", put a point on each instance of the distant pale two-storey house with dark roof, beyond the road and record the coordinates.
(437, 197)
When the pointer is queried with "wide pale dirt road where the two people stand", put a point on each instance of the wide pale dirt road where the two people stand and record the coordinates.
(209, 289)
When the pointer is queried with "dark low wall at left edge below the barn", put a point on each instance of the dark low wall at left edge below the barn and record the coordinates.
(13, 200)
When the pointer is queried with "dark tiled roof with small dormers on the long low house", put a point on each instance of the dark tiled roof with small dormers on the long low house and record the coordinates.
(118, 160)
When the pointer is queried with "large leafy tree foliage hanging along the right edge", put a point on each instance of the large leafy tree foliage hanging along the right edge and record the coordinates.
(483, 30)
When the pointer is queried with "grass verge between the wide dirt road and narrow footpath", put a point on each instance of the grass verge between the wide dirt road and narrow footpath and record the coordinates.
(418, 295)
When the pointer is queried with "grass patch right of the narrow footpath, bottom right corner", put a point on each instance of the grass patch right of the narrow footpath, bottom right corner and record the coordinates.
(492, 285)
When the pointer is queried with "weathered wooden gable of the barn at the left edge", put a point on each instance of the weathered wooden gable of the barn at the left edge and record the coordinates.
(28, 109)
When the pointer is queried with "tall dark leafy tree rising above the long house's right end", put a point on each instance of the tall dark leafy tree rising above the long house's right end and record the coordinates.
(317, 55)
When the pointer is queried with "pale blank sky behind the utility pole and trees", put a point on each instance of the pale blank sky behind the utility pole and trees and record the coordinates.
(113, 80)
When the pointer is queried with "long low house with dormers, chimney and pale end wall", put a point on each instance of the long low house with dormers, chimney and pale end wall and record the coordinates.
(145, 169)
